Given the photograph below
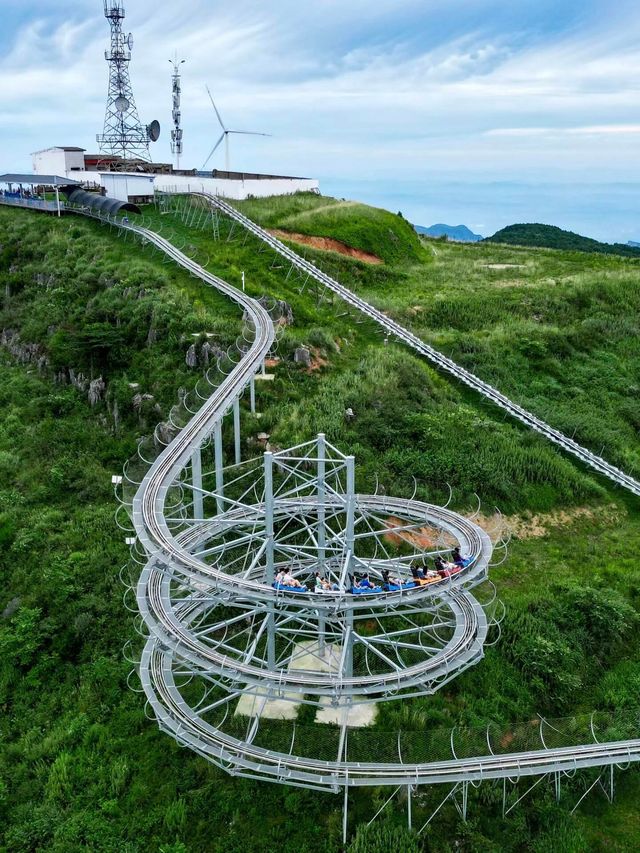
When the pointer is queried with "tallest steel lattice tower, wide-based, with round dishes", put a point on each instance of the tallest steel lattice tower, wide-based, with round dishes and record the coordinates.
(123, 134)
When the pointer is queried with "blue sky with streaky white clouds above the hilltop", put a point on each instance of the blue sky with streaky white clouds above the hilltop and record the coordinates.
(472, 111)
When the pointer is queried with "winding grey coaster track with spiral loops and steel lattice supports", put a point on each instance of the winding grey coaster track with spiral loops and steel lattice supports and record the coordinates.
(210, 537)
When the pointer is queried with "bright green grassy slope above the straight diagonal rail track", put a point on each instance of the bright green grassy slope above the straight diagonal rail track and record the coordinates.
(556, 331)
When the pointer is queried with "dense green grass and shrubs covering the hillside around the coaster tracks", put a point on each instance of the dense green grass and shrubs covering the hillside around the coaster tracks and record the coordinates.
(81, 767)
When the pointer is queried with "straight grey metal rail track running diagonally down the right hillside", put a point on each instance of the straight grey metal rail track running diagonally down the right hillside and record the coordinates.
(592, 460)
